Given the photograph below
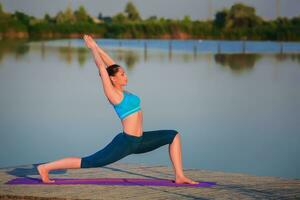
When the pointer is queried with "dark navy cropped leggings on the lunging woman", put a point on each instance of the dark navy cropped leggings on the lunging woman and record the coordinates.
(124, 144)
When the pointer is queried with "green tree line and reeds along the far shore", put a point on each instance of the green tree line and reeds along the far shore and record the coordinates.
(239, 22)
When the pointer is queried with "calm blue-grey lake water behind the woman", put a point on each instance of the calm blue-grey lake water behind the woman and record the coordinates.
(235, 112)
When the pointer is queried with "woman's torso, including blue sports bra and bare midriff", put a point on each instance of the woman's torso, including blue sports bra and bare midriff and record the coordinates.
(132, 123)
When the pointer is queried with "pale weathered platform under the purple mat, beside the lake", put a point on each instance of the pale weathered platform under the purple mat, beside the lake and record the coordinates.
(229, 185)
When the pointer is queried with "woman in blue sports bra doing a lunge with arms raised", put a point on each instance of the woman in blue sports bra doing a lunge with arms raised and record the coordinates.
(133, 140)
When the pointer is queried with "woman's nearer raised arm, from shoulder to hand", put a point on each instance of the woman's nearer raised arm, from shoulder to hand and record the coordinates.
(108, 88)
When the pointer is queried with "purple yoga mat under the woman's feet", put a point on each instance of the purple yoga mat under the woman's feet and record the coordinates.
(108, 181)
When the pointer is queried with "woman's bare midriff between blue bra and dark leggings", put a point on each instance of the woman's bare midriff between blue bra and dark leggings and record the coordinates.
(133, 124)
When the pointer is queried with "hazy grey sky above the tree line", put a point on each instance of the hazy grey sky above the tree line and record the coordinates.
(196, 9)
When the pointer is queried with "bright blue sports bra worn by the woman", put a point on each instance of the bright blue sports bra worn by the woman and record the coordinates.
(129, 104)
